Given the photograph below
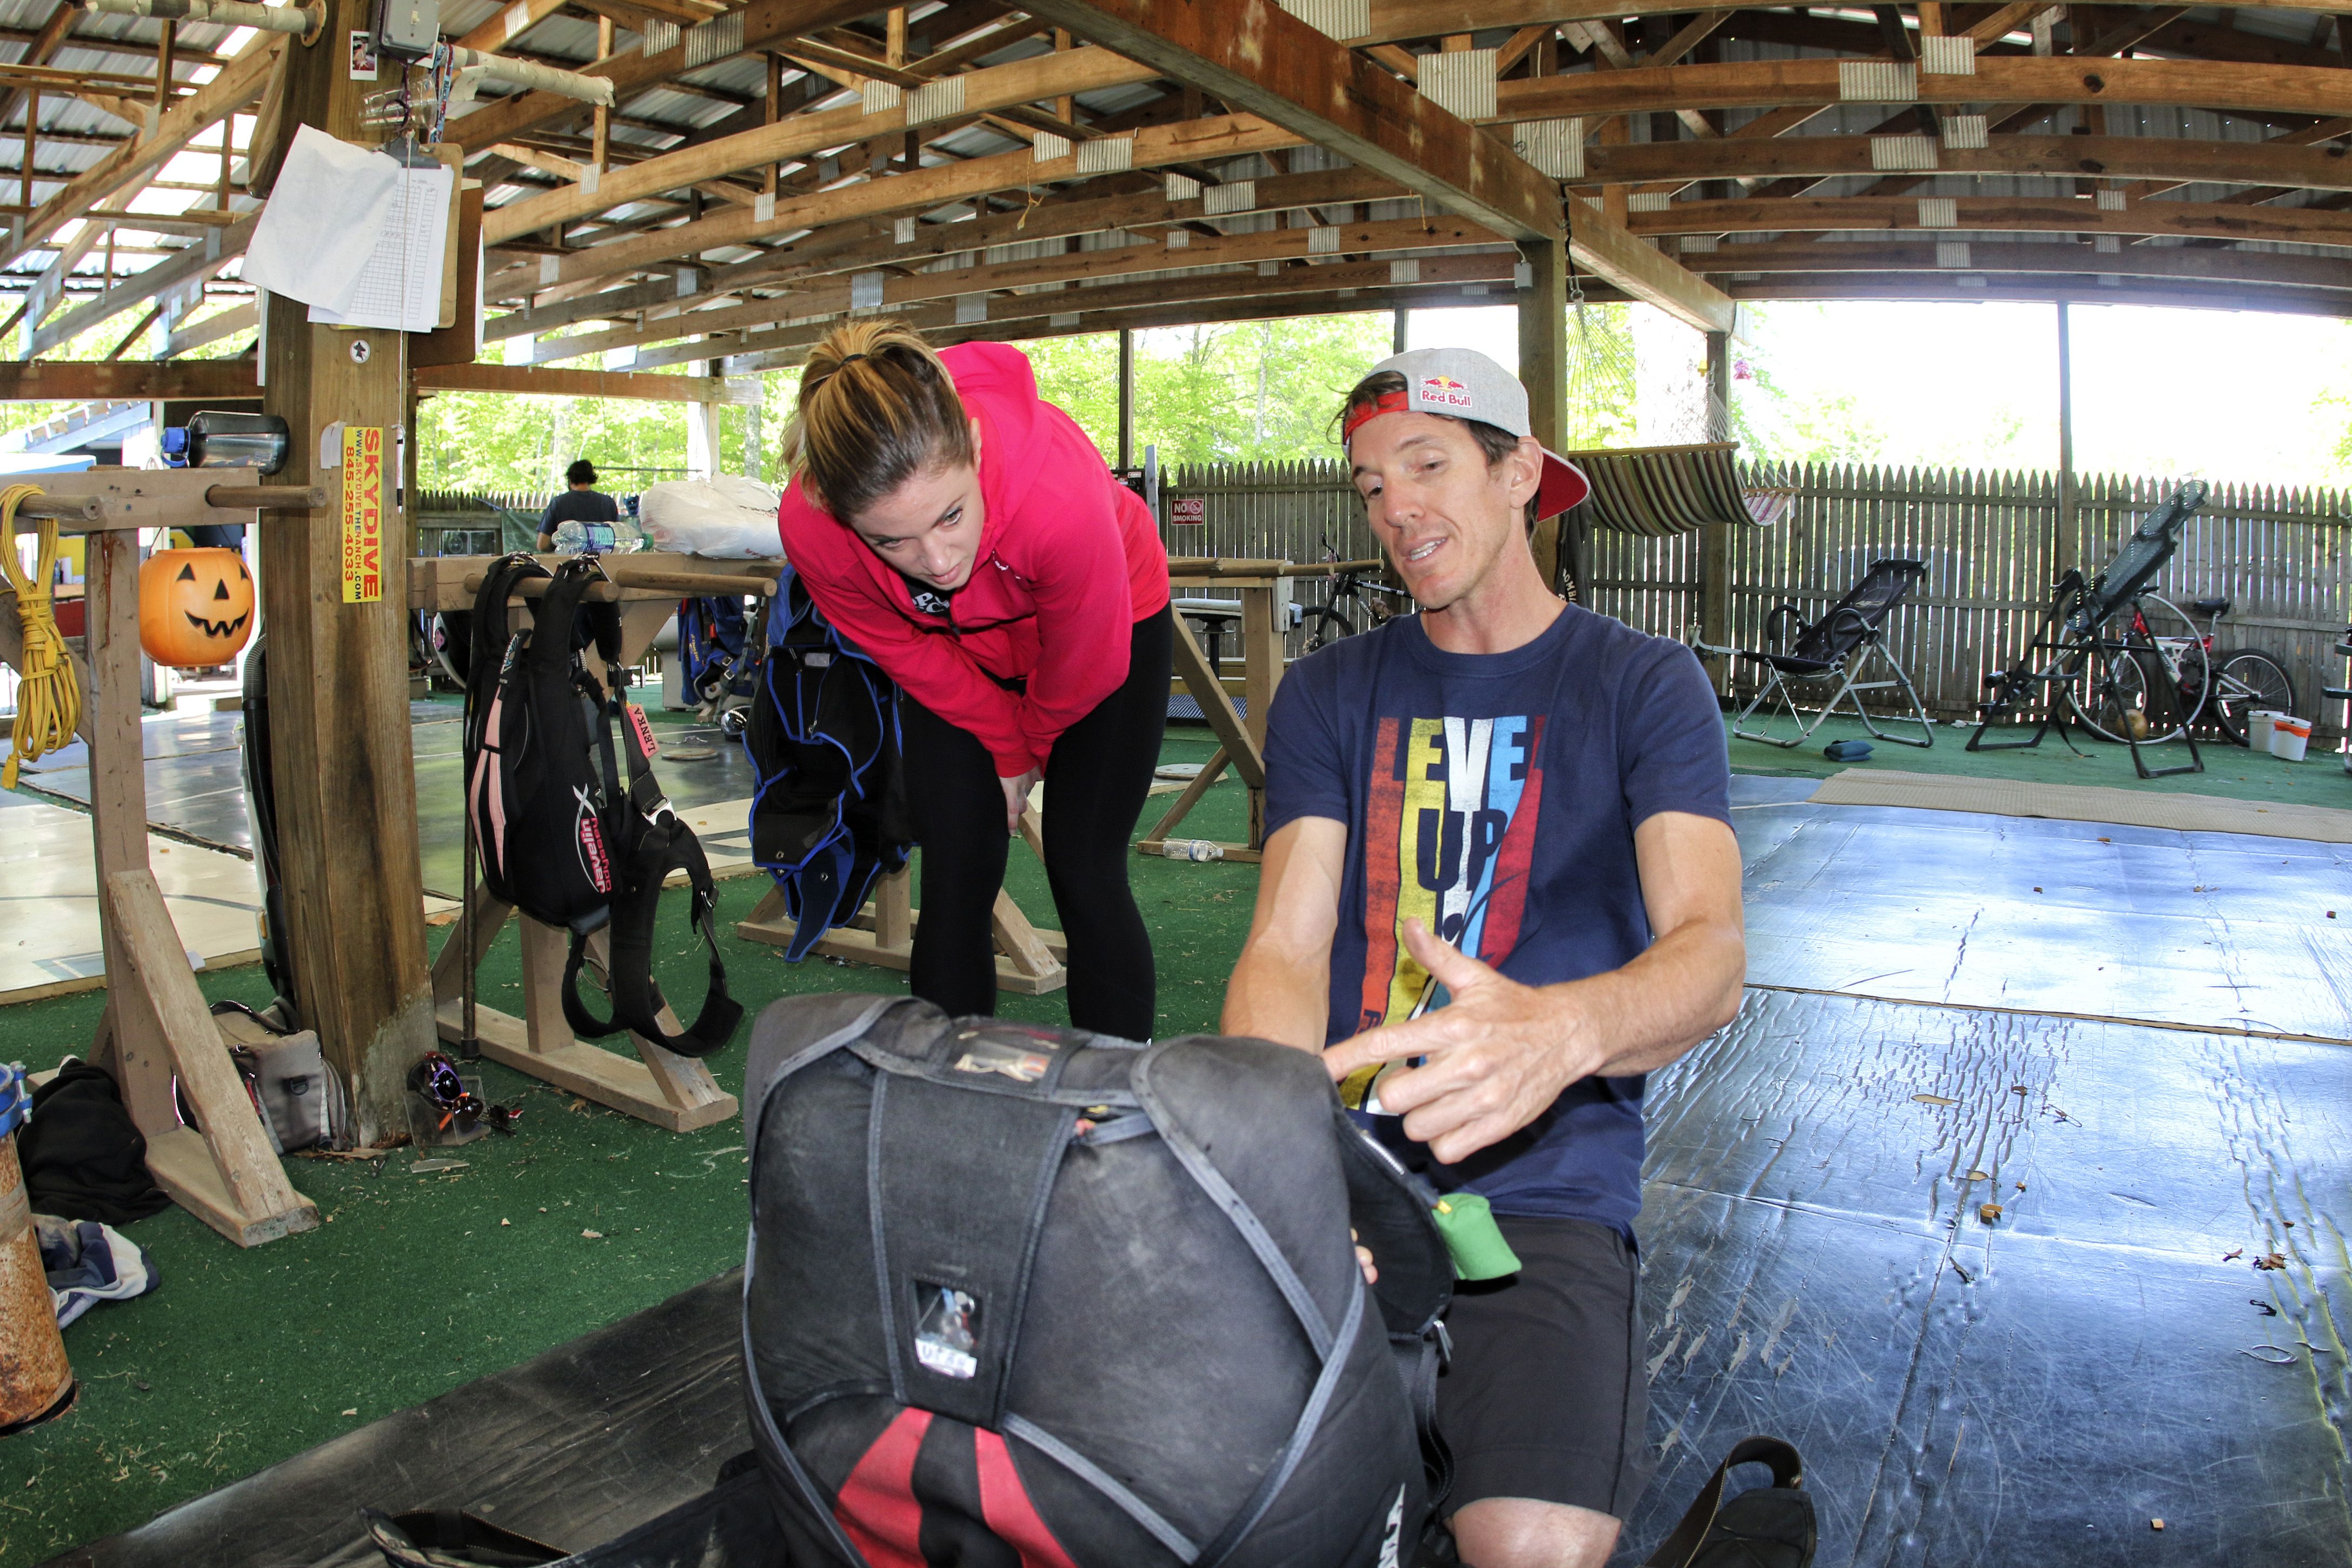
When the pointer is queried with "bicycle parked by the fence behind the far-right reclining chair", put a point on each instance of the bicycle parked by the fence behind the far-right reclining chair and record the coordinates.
(2111, 685)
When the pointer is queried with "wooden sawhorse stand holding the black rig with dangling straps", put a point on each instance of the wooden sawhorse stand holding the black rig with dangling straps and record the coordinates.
(662, 1087)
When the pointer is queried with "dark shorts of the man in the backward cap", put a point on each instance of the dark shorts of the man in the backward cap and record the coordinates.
(1546, 1395)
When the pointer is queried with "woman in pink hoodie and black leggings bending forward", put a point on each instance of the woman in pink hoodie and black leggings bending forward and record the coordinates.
(973, 542)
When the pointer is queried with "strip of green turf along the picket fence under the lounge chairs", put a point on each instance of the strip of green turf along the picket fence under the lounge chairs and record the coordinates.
(2229, 770)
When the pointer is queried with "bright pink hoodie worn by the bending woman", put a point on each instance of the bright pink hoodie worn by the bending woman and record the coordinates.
(1069, 563)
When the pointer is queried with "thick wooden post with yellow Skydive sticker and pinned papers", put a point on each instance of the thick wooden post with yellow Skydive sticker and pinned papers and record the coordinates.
(340, 692)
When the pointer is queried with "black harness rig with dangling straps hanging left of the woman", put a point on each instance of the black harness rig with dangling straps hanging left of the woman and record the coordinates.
(556, 833)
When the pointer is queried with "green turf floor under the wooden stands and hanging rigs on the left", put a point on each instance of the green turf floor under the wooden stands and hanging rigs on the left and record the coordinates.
(417, 1285)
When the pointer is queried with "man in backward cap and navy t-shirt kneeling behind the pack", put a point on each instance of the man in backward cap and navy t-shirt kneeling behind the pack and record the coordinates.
(1502, 887)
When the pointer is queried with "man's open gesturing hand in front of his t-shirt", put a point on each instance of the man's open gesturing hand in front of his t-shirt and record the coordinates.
(1499, 1054)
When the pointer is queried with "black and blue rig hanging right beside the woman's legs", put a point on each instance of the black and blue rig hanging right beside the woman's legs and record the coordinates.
(829, 808)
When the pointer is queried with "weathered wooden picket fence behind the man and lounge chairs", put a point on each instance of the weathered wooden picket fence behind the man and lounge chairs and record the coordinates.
(1991, 544)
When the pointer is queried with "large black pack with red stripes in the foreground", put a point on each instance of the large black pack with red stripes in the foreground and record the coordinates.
(1022, 1292)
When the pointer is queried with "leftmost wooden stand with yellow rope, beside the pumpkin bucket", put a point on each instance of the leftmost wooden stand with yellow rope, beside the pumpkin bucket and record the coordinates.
(156, 1024)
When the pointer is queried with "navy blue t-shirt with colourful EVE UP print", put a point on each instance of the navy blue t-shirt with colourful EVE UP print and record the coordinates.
(1495, 796)
